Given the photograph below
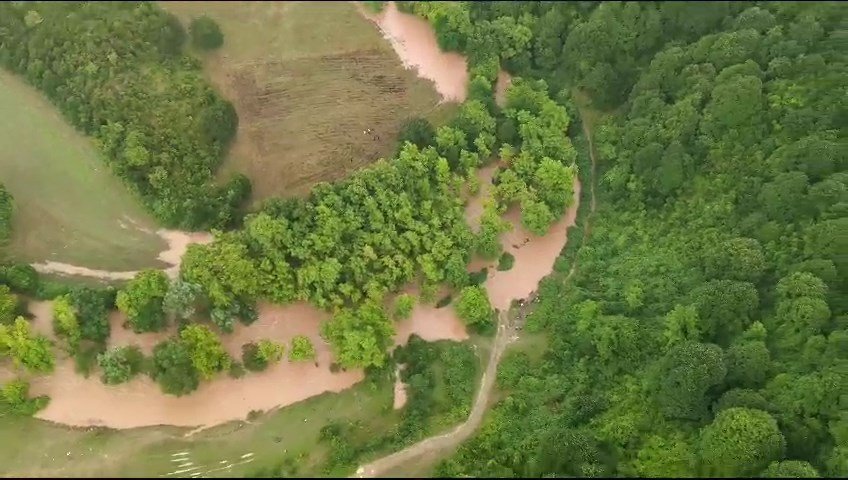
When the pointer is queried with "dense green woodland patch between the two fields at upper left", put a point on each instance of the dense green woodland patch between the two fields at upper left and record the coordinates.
(117, 72)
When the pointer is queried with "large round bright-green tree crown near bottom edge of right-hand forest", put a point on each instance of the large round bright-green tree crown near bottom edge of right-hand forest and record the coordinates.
(740, 442)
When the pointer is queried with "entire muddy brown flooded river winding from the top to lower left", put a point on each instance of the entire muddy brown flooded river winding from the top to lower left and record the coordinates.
(88, 402)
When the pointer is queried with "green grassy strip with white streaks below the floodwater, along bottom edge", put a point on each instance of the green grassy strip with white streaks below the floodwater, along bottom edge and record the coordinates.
(268, 439)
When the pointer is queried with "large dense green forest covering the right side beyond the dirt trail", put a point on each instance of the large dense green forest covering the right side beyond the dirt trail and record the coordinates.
(705, 330)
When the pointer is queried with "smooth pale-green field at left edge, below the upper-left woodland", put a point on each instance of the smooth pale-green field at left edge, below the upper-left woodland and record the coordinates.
(68, 205)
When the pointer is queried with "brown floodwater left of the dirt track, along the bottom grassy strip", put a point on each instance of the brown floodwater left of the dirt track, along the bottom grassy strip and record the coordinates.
(79, 401)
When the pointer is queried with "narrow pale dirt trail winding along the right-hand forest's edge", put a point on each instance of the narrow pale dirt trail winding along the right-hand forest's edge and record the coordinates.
(506, 334)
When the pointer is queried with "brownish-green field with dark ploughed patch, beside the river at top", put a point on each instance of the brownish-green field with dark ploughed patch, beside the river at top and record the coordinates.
(307, 78)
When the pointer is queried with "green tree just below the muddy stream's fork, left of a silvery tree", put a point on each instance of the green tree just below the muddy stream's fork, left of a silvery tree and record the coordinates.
(141, 300)
